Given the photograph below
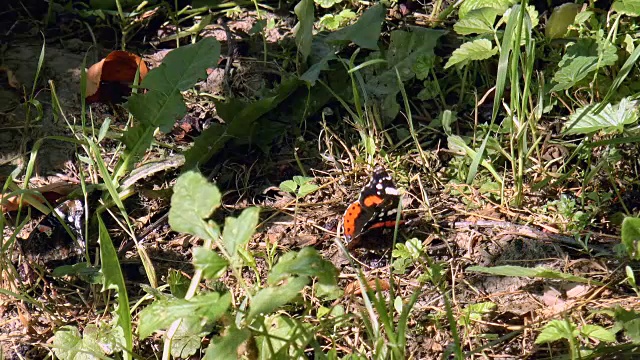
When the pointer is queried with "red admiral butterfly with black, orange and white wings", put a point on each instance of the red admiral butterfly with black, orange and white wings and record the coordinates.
(376, 207)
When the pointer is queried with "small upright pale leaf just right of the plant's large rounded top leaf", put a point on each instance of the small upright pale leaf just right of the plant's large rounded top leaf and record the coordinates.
(238, 232)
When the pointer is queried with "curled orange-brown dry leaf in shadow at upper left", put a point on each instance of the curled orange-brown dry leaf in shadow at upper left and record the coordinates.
(109, 79)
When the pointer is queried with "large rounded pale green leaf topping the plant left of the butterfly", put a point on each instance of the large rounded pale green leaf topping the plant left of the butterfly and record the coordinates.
(193, 200)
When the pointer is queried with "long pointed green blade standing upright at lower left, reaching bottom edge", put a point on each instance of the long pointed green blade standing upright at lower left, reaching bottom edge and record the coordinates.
(113, 279)
